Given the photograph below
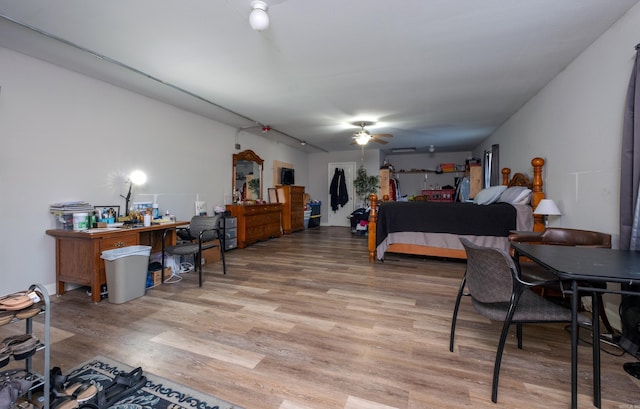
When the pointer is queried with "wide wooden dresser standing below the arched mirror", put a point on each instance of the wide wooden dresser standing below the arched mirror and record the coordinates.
(257, 222)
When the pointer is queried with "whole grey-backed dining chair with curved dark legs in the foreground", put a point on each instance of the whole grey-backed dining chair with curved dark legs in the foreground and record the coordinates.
(497, 293)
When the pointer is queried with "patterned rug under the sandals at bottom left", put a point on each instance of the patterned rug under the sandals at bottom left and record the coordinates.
(158, 393)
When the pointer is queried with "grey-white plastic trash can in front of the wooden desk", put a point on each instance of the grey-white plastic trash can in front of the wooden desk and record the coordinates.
(126, 270)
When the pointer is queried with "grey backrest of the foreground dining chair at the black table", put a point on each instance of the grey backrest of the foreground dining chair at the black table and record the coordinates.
(489, 273)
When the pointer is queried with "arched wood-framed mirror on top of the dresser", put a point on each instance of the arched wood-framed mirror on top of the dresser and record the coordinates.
(247, 176)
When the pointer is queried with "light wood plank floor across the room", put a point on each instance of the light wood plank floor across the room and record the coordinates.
(305, 321)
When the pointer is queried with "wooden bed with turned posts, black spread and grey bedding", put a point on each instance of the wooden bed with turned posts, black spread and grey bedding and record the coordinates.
(433, 229)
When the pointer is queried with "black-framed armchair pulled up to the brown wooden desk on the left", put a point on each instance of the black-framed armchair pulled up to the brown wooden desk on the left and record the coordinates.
(202, 233)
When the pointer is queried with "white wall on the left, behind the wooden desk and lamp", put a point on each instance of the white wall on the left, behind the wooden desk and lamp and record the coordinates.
(69, 137)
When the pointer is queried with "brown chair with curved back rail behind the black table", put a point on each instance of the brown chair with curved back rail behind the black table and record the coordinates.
(556, 236)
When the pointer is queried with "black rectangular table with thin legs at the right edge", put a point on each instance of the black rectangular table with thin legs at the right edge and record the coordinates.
(581, 266)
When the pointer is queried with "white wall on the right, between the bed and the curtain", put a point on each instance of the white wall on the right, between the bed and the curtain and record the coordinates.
(575, 123)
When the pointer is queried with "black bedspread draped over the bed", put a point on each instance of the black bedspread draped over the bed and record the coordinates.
(456, 218)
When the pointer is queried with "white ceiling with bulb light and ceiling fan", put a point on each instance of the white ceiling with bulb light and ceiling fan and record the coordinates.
(441, 72)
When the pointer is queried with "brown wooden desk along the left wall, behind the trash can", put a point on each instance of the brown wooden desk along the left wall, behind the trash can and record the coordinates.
(78, 252)
